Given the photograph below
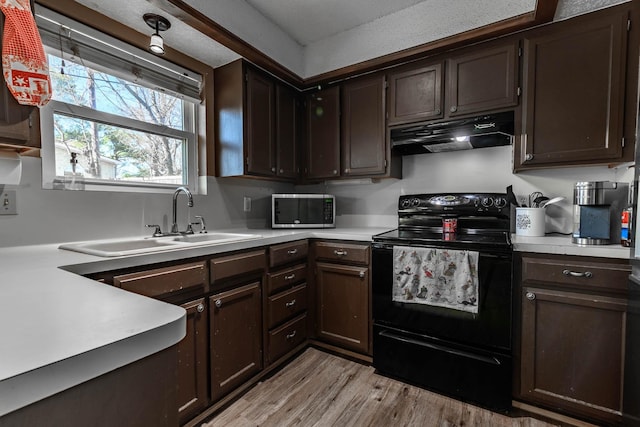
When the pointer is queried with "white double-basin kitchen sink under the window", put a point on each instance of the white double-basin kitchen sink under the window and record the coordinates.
(111, 248)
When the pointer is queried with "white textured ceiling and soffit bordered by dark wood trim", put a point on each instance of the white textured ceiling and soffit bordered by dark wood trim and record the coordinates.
(312, 37)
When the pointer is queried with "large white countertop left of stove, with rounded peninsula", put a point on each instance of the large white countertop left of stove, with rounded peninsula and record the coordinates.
(59, 329)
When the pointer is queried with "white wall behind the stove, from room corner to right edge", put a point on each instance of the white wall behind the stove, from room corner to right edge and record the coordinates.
(480, 170)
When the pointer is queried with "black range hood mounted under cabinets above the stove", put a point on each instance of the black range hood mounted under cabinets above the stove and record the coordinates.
(488, 130)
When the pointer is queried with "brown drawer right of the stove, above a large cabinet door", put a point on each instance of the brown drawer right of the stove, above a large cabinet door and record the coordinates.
(574, 272)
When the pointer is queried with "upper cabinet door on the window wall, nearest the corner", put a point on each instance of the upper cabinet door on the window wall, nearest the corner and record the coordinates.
(287, 130)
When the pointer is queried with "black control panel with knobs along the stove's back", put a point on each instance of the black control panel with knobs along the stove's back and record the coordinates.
(454, 204)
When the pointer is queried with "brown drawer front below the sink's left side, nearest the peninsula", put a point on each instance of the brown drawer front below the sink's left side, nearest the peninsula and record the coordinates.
(162, 281)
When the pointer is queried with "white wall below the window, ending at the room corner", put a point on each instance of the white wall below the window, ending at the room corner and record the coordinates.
(48, 216)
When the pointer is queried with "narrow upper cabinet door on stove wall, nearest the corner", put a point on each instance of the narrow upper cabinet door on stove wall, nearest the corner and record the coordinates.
(323, 134)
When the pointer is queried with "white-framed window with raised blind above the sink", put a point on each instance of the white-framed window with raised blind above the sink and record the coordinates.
(119, 117)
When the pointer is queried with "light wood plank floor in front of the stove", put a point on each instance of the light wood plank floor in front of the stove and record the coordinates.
(319, 389)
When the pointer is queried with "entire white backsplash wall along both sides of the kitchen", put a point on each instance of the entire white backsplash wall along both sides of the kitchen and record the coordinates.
(54, 216)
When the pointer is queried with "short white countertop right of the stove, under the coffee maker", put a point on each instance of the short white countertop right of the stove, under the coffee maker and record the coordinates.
(562, 245)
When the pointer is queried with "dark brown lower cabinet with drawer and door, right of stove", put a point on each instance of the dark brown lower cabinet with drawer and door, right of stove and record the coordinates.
(572, 342)
